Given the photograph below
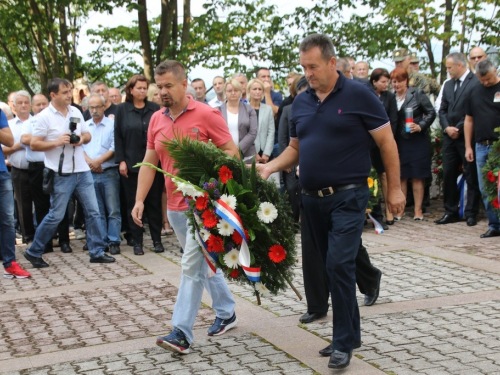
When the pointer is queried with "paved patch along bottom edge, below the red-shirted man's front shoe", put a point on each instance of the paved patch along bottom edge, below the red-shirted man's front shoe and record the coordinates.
(243, 354)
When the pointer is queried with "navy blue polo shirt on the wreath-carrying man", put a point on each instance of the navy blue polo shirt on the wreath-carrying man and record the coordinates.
(334, 135)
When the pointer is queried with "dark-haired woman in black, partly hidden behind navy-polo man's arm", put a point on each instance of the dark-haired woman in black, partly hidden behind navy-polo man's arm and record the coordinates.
(379, 79)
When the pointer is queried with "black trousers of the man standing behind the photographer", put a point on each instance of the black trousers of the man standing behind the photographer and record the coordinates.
(42, 202)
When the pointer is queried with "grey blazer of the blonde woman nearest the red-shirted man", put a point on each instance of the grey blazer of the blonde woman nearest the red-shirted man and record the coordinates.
(247, 127)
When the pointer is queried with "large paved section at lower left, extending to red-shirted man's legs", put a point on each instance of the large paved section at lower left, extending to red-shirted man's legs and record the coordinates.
(85, 318)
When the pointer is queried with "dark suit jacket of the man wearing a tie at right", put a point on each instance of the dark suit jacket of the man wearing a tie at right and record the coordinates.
(452, 110)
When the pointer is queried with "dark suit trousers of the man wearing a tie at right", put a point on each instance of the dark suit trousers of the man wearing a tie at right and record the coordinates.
(453, 156)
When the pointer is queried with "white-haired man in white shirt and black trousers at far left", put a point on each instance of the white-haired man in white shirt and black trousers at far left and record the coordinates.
(19, 172)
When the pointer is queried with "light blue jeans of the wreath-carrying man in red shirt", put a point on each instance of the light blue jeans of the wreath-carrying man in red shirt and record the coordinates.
(194, 279)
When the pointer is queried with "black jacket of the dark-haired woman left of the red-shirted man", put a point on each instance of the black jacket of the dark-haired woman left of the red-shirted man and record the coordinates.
(131, 133)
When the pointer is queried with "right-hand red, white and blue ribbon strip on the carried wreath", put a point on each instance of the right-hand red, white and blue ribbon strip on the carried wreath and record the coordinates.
(228, 214)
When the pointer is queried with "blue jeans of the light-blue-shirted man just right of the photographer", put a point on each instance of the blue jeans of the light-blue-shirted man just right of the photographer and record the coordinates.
(107, 190)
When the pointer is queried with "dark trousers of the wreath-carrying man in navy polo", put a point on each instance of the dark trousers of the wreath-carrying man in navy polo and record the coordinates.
(332, 228)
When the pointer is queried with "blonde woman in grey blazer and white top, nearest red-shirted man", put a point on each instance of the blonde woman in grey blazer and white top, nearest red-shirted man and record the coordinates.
(240, 118)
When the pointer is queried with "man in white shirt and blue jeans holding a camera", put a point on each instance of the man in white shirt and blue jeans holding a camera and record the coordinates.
(60, 131)
